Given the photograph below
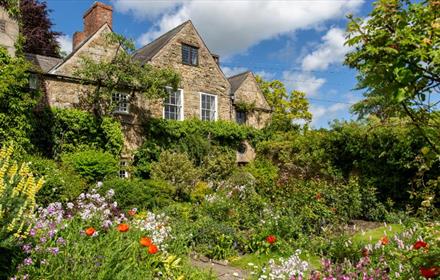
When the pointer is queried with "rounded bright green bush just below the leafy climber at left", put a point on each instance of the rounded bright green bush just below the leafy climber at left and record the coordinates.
(92, 165)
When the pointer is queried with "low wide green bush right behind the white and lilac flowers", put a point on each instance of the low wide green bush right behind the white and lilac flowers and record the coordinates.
(138, 193)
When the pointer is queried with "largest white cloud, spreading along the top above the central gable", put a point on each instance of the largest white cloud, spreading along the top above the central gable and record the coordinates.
(231, 27)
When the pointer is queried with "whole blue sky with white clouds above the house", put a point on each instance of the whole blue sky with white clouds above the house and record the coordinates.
(297, 41)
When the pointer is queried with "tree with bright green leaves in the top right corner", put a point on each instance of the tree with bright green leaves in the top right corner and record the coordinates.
(396, 53)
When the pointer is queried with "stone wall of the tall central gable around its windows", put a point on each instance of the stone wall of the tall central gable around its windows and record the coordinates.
(206, 77)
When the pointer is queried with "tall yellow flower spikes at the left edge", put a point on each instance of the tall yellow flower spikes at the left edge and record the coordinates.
(18, 188)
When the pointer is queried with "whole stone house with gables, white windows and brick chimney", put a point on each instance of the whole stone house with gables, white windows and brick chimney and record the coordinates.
(204, 92)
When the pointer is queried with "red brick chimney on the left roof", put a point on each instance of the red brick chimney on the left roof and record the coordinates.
(94, 18)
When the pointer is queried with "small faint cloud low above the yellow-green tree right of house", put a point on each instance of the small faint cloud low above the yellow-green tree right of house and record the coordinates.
(303, 82)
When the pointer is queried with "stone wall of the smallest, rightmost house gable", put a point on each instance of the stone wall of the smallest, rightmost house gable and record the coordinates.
(249, 92)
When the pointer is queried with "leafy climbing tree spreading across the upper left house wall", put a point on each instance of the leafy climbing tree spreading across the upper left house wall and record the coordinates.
(122, 72)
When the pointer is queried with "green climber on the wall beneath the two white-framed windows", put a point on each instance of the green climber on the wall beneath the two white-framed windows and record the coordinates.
(194, 137)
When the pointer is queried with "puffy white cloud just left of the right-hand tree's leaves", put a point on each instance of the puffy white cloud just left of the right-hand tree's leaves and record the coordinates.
(332, 50)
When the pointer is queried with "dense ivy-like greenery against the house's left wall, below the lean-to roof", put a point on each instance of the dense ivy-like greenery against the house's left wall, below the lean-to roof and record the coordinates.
(67, 130)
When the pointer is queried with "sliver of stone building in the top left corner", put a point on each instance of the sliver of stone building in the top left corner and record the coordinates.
(8, 31)
